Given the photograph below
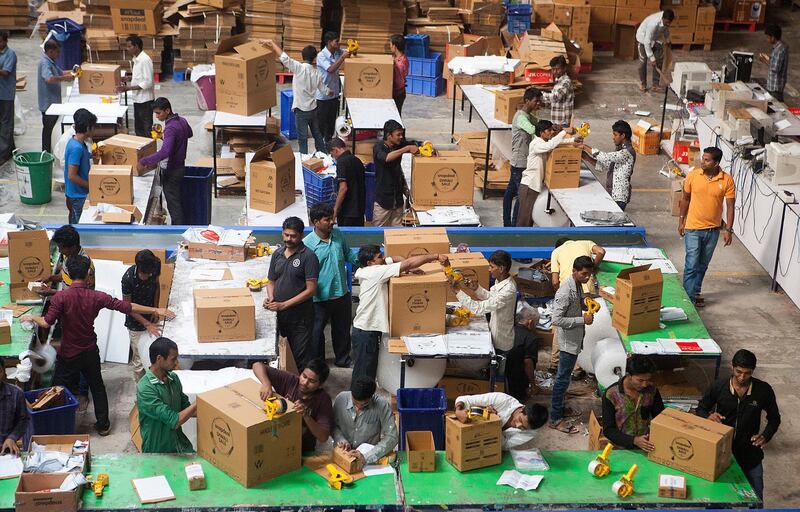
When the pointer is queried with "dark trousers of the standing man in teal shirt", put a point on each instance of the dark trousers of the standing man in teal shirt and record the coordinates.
(339, 312)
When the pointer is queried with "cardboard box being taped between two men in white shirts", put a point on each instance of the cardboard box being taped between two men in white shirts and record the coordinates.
(417, 302)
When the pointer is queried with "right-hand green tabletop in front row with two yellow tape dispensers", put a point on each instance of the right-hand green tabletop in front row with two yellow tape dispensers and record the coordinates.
(568, 484)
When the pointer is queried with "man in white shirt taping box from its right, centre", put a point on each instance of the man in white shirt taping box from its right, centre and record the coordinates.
(499, 301)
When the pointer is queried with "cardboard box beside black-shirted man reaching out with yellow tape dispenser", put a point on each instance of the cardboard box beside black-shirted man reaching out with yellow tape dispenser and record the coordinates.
(445, 179)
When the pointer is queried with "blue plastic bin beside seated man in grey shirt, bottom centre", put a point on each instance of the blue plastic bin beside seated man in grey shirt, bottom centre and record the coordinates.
(422, 409)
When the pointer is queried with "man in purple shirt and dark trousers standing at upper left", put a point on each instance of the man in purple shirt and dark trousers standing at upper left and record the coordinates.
(171, 158)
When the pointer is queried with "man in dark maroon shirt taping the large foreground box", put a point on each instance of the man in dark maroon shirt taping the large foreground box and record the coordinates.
(307, 395)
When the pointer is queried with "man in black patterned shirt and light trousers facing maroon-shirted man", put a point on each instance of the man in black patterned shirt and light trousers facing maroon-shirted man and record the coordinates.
(141, 284)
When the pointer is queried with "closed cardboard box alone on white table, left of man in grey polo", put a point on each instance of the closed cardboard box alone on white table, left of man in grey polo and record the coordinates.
(224, 314)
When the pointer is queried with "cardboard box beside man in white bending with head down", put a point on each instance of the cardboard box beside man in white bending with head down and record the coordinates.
(473, 445)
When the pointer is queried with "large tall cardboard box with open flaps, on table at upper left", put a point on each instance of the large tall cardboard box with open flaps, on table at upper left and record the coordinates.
(245, 82)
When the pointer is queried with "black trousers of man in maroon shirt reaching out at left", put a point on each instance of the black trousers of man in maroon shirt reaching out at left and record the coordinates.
(68, 372)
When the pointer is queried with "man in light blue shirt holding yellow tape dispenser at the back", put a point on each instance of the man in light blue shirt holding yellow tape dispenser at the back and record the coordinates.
(329, 61)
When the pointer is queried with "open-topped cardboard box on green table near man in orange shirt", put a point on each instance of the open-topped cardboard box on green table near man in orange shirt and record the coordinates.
(637, 300)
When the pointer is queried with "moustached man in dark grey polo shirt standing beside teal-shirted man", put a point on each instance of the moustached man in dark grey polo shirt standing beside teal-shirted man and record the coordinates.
(293, 274)
